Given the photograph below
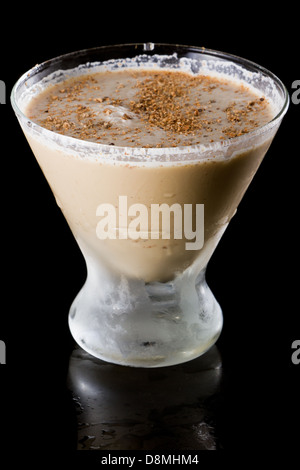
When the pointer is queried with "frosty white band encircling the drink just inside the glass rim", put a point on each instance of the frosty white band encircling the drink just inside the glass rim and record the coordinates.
(256, 83)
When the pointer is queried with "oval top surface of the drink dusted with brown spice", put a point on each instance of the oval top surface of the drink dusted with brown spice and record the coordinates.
(143, 108)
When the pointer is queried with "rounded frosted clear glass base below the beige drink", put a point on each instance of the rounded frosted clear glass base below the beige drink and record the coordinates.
(129, 322)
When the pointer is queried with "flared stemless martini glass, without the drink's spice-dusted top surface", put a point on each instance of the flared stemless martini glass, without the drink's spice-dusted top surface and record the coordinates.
(145, 302)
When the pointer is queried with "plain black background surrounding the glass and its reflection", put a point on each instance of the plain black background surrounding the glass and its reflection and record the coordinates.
(253, 273)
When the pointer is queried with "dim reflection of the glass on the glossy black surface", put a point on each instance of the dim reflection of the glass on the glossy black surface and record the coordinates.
(123, 408)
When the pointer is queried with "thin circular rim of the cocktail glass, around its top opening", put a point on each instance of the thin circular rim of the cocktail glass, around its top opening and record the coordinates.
(147, 152)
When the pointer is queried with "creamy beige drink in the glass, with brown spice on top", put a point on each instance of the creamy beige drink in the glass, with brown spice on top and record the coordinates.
(112, 104)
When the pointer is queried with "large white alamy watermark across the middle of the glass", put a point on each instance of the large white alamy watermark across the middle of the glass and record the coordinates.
(138, 221)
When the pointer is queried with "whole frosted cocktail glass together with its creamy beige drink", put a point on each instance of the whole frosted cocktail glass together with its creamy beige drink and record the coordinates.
(148, 156)
